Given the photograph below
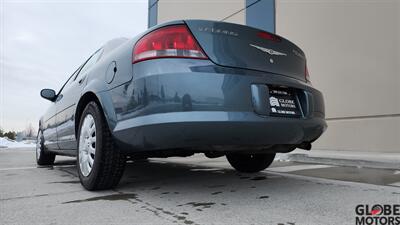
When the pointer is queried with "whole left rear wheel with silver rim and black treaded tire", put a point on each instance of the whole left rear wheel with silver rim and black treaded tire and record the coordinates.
(100, 163)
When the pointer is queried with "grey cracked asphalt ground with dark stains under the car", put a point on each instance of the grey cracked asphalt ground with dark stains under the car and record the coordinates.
(193, 190)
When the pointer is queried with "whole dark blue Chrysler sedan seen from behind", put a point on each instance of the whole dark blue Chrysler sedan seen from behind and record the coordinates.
(182, 88)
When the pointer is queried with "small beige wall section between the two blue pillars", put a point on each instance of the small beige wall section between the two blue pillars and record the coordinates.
(201, 9)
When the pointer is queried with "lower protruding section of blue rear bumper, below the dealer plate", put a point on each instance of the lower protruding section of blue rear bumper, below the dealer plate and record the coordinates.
(204, 130)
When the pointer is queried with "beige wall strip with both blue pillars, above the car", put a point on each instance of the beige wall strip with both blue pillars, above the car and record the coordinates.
(256, 13)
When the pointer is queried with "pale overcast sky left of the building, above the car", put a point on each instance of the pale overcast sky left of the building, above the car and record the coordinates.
(43, 42)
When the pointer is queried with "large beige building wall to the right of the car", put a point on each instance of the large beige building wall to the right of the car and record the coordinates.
(353, 51)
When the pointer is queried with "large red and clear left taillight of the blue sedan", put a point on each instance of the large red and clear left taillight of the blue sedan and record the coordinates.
(168, 42)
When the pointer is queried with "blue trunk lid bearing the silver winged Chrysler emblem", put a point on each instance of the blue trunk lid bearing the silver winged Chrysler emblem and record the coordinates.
(241, 46)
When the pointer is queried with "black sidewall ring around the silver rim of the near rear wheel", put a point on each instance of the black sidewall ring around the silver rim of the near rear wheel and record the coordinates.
(90, 180)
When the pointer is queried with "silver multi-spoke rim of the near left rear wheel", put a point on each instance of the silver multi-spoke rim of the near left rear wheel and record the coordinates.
(87, 145)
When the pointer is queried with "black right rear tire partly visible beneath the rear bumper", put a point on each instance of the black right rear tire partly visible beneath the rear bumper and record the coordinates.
(250, 163)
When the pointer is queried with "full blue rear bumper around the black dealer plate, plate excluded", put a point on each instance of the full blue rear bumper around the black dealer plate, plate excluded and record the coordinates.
(195, 104)
